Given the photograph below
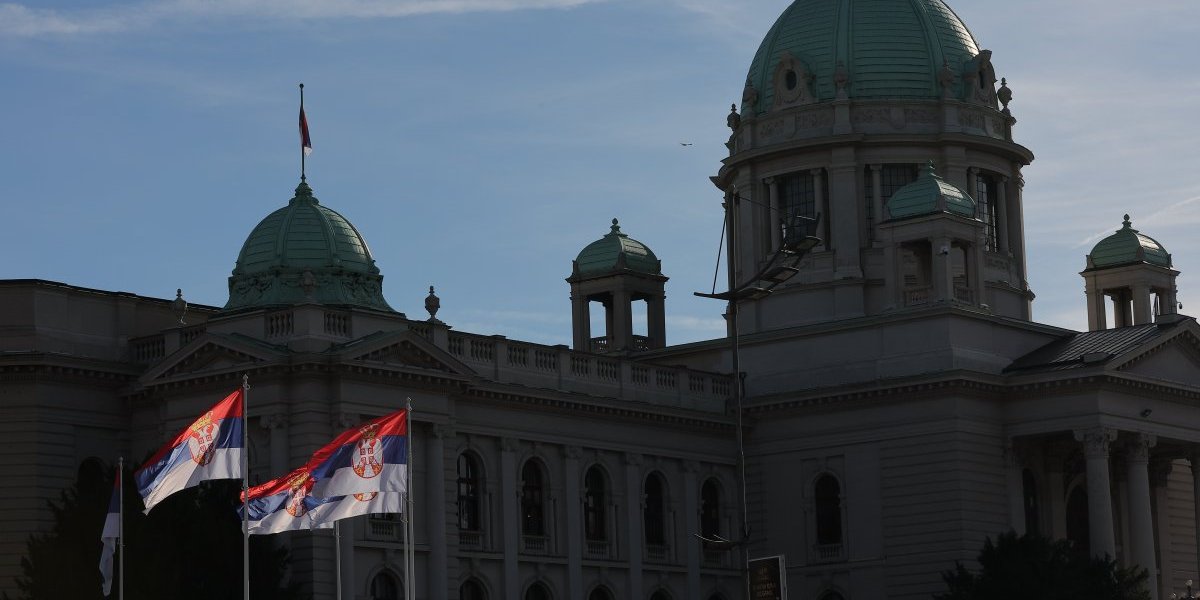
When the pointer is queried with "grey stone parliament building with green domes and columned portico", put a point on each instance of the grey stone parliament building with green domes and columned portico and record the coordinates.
(899, 405)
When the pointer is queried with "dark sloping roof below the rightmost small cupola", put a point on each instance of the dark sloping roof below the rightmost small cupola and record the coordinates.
(1089, 349)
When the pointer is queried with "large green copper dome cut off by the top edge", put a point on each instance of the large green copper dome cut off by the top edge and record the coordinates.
(893, 50)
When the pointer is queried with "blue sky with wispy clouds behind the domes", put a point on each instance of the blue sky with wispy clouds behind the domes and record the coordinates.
(481, 145)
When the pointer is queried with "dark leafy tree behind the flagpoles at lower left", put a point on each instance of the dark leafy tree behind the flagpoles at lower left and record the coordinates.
(189, 548)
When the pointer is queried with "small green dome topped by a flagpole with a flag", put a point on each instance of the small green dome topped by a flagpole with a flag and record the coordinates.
(305, 253)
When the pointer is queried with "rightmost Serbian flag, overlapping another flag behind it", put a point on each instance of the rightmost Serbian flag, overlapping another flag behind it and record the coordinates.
(369, 458)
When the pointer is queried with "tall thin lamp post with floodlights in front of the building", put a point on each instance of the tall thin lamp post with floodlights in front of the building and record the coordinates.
(779, 268)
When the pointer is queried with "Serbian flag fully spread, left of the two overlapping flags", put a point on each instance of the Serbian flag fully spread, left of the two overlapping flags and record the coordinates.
(211, 448)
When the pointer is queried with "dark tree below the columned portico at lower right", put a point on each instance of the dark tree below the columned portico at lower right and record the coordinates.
(1037, 568)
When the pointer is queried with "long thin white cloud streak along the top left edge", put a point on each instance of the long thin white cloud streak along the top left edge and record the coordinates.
(22, 21)
